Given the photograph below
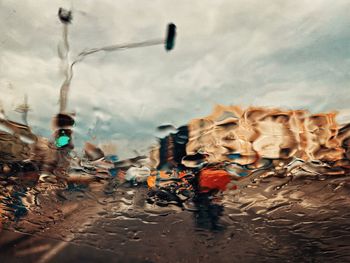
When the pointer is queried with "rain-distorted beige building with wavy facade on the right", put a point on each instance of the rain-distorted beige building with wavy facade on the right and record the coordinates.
(254, 133)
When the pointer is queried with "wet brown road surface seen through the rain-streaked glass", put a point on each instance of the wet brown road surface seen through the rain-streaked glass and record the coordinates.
(271, 220)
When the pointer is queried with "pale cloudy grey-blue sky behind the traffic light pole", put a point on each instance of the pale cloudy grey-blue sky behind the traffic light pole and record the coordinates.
(290, 54)
